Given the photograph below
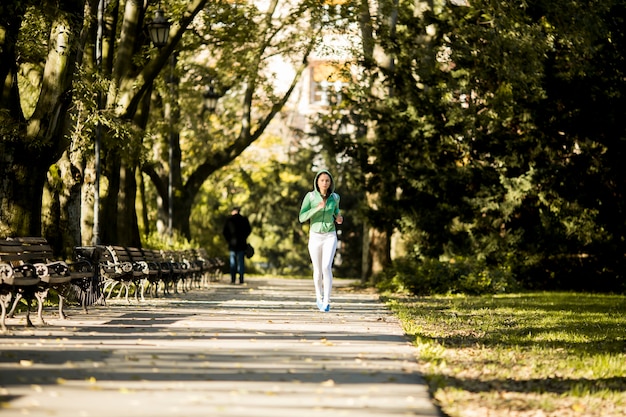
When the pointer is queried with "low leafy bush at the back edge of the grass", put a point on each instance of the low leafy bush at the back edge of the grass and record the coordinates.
(458, 276)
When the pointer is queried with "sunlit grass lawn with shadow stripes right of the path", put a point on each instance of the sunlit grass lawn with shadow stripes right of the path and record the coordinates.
(550, 354)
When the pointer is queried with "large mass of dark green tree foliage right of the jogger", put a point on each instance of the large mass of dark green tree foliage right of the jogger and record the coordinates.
(498, 137)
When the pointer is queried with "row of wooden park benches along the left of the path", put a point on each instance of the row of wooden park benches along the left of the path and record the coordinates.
(28, 270)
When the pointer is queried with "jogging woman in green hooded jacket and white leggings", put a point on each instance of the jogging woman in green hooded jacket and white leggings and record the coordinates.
(321, 208)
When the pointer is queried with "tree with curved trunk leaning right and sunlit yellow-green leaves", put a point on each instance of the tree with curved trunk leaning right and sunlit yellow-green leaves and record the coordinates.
(240, 51)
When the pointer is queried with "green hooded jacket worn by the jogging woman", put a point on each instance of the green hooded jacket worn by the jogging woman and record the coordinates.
(322, 220)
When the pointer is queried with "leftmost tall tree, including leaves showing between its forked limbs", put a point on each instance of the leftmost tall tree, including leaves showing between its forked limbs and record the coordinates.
(38, 53)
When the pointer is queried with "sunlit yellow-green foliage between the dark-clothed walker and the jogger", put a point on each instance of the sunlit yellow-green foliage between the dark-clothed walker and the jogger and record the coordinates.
(269, 191)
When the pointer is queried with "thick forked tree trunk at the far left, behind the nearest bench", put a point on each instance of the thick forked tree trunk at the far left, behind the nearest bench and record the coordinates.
(31, 144)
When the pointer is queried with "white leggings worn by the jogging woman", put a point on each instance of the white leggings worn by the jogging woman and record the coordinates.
(322, 247)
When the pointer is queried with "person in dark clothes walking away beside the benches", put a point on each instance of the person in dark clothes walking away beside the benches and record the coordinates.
(236, 232)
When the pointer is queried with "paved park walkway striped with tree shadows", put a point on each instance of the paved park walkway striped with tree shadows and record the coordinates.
(261, 349)
